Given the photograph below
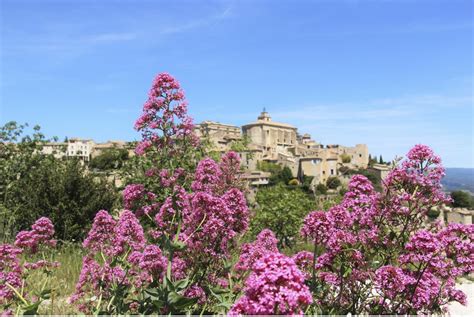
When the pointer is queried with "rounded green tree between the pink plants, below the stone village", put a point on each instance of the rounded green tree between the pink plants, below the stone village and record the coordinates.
(281, 210)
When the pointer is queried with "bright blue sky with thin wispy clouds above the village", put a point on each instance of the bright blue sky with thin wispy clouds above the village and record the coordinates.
(387, 73)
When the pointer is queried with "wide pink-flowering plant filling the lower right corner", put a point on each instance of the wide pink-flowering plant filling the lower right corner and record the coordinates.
(377, 253)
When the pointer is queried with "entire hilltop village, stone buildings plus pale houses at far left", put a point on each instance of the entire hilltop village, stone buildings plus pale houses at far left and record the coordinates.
(265, 141)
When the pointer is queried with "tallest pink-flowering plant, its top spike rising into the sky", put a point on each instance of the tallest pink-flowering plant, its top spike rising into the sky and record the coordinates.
(170, 246)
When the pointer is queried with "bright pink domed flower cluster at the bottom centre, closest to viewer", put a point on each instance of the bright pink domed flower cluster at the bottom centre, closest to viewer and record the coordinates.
(276, 286)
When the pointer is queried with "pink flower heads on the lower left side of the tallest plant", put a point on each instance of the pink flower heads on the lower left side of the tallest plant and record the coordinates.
(107, 241)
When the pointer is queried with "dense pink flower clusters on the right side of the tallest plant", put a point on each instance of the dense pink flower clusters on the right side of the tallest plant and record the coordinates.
(215, 213)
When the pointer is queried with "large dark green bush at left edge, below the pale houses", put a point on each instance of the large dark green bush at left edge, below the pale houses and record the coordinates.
(34, 185)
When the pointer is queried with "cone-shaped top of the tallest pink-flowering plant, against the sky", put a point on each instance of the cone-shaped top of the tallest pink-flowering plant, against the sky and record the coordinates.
(169, 149)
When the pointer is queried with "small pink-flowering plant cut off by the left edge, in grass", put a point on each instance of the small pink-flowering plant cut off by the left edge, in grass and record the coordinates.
(18, 261)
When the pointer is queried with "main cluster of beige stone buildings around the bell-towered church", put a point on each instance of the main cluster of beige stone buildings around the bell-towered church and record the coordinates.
(280, 143)
